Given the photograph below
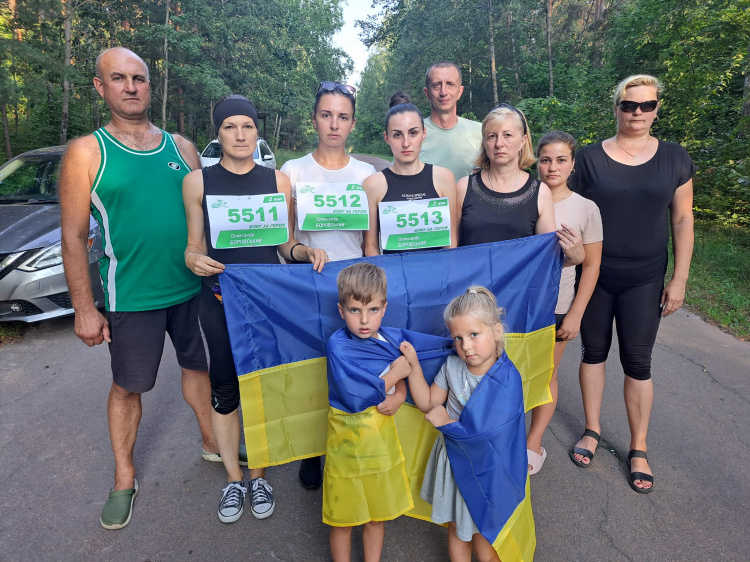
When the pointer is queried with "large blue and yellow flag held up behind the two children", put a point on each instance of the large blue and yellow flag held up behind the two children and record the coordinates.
(279, 318)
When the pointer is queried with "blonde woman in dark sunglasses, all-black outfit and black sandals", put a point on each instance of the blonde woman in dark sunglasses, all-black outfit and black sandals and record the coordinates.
(638, 182)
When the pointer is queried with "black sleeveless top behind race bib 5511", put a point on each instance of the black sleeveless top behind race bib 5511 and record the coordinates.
(217, 180)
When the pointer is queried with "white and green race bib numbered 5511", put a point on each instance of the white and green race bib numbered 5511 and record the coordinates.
(246, 221)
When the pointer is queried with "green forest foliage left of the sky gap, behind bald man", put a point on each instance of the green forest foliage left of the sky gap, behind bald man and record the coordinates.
(275, 52)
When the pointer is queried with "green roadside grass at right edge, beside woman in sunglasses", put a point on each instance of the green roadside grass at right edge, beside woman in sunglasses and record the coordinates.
(719, 286)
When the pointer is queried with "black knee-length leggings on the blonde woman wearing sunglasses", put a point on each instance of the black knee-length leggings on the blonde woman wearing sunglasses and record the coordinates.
(636, 313)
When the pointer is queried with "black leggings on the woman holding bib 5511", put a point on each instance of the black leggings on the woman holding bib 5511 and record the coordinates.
(225, 387)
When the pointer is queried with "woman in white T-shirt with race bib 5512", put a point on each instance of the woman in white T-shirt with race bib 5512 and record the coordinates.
(329, 201)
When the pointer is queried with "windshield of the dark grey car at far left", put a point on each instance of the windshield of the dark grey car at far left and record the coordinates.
(30, 179)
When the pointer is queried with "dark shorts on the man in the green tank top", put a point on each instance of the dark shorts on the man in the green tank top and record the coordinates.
(138, 343)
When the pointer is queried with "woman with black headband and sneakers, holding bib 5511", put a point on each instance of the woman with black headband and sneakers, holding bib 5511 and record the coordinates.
(212, 242)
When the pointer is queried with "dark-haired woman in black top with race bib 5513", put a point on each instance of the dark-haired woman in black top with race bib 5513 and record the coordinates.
(412, 204)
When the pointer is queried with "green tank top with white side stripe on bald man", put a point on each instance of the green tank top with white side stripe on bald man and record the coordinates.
(137, 201)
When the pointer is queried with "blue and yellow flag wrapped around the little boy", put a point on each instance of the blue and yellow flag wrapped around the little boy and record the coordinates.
(365, 475)
